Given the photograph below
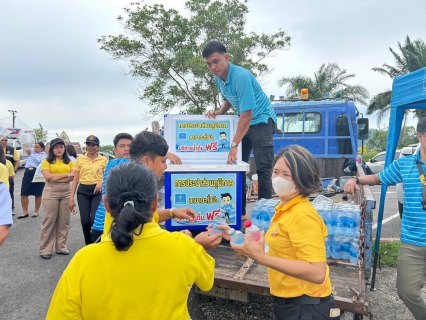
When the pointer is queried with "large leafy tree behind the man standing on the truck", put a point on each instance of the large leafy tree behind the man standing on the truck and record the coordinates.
(164, 47)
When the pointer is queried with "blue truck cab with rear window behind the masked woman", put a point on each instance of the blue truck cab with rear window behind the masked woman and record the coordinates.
(328, 128)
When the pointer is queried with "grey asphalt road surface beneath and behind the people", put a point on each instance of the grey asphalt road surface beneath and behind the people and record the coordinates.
(27, 281)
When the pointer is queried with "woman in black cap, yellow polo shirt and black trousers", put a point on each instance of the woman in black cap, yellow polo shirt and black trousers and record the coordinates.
(89, 171)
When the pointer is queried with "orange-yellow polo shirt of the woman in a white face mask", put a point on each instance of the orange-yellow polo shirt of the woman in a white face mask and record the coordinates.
(297, 232)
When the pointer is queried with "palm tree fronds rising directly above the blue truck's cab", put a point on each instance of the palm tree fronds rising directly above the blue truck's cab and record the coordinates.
(328, 78)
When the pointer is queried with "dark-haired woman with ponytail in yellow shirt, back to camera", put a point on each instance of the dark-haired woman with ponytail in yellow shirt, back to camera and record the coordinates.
(138, 271)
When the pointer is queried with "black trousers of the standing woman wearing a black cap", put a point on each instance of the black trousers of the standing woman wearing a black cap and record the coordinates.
(88, 204)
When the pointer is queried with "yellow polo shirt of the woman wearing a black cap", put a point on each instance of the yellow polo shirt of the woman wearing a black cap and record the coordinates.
(91, 171)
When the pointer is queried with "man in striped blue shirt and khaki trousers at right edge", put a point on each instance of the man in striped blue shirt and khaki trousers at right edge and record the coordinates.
(411, 271)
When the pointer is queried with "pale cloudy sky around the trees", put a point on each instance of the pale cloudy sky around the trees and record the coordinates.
(52, 70)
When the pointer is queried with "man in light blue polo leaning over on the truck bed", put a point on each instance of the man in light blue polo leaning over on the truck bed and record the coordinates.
(240, 89)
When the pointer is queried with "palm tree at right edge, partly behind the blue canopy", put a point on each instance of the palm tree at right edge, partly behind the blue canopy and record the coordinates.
(411, 58)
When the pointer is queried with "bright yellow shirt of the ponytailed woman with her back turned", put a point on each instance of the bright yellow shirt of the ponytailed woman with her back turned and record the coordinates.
(151, 280)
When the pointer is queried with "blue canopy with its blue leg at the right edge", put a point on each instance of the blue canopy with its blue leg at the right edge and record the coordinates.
(408, 92)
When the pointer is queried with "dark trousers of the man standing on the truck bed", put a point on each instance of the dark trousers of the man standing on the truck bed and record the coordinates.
(259, 137)
